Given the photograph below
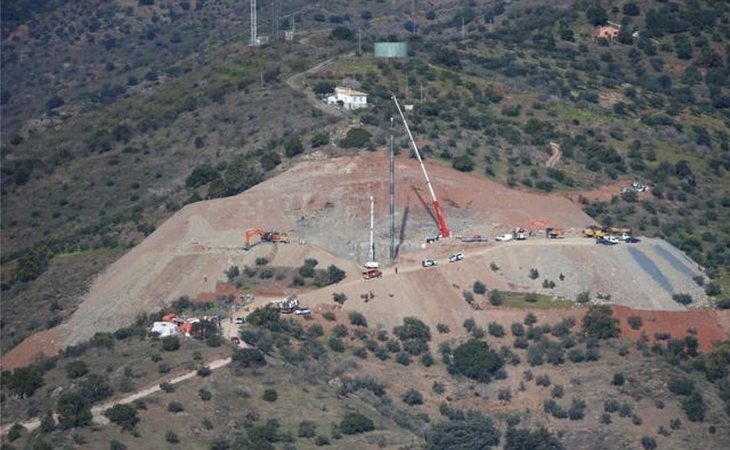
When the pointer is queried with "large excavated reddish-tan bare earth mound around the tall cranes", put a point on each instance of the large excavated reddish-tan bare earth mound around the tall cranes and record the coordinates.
(324, 206)
